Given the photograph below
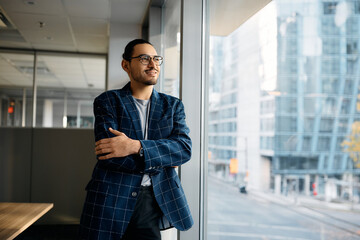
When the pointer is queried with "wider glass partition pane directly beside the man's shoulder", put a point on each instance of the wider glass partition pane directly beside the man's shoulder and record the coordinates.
(66, 88)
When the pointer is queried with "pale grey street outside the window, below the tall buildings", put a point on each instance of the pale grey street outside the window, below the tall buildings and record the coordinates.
(232, 215)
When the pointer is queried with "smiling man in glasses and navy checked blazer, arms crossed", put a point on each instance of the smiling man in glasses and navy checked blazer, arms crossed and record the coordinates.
(141, 137)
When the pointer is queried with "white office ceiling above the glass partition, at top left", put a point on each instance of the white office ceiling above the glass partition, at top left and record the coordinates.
(68, 25)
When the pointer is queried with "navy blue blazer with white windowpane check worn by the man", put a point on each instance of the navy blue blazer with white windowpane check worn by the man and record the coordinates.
(115, 183)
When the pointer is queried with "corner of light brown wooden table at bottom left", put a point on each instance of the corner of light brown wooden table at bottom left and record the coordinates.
(16, 217)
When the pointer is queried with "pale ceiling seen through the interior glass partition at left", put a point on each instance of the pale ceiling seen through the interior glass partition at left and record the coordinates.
(64, 71)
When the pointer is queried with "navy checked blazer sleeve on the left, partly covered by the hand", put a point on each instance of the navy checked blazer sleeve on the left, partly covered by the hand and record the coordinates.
(105, 117)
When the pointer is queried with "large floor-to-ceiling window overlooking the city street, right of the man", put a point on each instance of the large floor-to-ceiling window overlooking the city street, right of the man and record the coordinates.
(283, 121)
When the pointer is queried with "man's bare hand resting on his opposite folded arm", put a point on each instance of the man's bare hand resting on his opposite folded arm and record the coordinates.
(118, 146)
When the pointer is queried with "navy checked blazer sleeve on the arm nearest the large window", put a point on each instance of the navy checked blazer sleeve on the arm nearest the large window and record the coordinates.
(174, 150)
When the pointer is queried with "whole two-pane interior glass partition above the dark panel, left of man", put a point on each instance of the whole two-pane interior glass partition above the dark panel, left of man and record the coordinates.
(65, 87)
